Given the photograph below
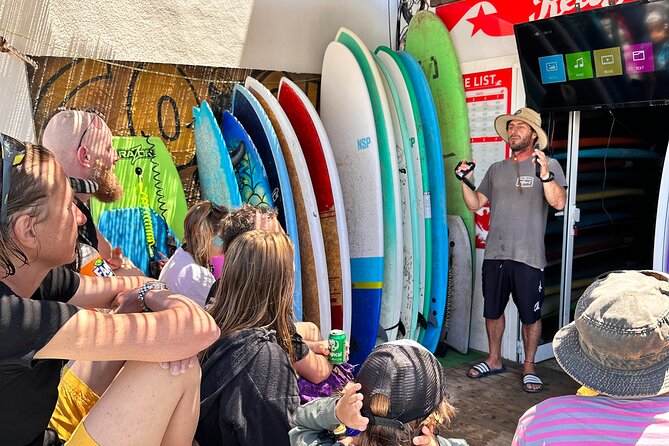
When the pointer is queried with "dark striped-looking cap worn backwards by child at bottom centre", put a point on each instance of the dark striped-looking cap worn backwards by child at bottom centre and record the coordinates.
(409, 375)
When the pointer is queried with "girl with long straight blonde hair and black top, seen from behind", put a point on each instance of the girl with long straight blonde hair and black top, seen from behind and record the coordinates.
(249, 388)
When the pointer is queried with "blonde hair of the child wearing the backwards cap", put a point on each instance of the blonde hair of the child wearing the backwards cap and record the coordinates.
(438, 421)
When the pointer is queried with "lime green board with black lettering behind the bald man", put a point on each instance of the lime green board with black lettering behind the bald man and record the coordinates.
(147, 172)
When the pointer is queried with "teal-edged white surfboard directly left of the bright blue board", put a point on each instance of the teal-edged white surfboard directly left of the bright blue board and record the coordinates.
(418, 151)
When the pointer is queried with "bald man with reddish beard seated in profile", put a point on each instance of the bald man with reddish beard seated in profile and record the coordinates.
(82, 143)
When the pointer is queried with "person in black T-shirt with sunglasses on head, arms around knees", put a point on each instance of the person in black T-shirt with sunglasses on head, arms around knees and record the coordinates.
(41, 327)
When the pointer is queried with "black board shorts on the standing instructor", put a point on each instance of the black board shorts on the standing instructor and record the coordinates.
(524, 283)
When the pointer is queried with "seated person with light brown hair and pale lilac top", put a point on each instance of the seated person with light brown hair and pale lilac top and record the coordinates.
(189, 271)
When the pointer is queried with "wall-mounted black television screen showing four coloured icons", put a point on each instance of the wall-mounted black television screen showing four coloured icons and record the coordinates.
(614, 56)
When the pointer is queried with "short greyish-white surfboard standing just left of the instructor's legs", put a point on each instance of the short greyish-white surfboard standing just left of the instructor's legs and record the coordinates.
(456, 332)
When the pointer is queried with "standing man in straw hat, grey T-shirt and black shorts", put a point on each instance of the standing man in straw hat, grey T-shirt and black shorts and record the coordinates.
(519, 189)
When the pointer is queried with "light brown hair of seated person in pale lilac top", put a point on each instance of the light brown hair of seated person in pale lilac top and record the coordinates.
(201, 225)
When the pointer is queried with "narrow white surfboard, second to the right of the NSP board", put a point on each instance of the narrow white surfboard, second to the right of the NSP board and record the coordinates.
(410, 310)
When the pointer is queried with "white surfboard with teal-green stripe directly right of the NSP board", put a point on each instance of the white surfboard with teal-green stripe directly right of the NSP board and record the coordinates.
(390, 184)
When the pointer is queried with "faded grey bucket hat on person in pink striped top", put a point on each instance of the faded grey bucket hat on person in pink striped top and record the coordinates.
(618, 343)
